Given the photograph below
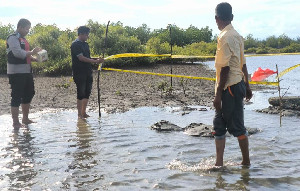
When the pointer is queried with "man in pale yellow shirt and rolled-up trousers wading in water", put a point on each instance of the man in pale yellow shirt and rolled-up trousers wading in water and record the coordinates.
(231, 85)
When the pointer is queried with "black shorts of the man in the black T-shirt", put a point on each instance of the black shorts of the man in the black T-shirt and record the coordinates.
(84, 84)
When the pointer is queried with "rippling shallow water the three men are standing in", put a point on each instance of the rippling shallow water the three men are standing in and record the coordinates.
(120, 152)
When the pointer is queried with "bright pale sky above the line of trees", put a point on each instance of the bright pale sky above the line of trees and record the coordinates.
(261, 18)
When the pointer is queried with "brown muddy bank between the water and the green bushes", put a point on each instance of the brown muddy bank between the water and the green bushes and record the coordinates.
(122, 91)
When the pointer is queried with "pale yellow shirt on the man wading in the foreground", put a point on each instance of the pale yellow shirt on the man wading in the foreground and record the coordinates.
(230, 52)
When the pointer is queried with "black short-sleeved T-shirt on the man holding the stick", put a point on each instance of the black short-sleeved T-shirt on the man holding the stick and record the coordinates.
(80, 48)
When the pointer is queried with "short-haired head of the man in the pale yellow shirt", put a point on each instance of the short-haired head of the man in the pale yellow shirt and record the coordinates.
(223, 15)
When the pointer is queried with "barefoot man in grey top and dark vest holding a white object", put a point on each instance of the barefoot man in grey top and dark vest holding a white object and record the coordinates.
(19, 72)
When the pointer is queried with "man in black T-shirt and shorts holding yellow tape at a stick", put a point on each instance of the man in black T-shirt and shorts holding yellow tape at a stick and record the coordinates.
(82, 69)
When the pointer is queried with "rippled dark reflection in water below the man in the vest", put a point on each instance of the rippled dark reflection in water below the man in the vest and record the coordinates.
(21, 166)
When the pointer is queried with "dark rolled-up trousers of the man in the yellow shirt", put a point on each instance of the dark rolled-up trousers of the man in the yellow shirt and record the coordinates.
(231, 117)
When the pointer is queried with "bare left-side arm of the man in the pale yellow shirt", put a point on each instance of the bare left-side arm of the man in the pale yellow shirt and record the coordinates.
(223, 79)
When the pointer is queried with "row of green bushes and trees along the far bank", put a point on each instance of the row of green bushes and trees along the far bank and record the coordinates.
(126, 39)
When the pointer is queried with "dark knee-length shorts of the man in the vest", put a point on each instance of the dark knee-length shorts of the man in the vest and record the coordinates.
(22, 88)
